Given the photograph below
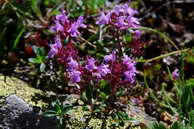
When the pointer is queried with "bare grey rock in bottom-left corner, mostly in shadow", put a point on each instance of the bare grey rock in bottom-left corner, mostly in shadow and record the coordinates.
(17, 114)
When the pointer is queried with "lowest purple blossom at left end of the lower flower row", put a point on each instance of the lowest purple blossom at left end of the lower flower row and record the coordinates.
(75, 76)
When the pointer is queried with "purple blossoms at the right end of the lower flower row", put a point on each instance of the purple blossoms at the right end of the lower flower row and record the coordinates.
(131, 71)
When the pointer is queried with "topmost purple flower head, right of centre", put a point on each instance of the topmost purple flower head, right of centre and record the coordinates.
(122, 17)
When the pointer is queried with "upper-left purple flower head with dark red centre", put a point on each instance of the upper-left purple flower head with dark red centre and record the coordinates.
(66, 27)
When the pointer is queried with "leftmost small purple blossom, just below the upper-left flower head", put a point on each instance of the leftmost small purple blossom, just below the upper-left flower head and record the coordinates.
(55, 47)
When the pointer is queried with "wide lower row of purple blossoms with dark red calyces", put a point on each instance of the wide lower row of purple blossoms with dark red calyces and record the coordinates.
(106, 70)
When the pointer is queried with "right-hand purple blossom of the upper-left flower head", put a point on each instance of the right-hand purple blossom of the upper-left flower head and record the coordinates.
(75, 26)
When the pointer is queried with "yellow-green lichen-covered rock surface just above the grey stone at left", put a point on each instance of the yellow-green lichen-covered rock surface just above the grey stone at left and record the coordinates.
(12, 85)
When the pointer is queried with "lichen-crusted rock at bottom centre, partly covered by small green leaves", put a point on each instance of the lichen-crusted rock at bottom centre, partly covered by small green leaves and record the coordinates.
(81, 119)
